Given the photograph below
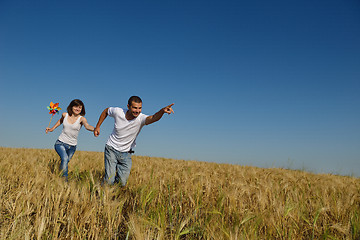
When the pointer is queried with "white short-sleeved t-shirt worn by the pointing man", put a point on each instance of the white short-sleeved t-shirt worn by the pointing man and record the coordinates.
(123, 136)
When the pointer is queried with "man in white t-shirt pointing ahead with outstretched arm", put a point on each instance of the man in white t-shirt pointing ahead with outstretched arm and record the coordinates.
(127, 126)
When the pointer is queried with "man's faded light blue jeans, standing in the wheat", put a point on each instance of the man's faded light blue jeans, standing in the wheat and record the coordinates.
(117, 166)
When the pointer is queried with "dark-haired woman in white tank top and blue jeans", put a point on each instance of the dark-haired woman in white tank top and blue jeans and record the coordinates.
(72, 121)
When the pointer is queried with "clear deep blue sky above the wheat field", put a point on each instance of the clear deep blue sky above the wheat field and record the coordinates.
(260, 83)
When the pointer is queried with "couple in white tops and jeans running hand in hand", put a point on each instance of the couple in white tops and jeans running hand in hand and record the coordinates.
(119, 146)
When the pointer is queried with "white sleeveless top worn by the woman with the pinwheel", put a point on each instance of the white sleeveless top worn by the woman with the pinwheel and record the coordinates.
(70, 131)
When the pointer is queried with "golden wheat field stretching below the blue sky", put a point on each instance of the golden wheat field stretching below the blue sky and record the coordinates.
(170, 199)
